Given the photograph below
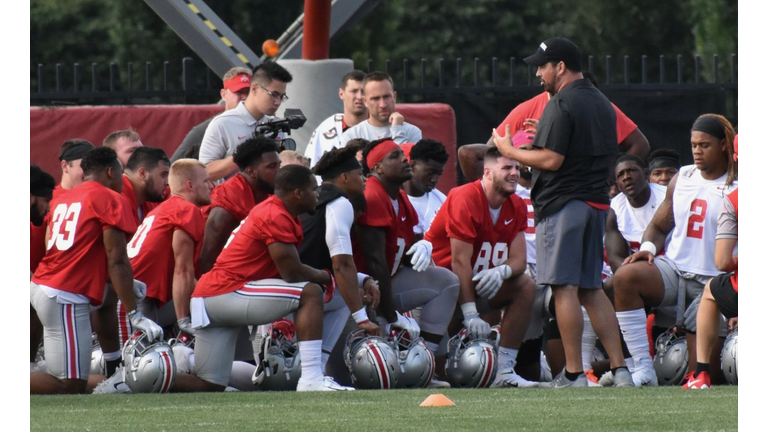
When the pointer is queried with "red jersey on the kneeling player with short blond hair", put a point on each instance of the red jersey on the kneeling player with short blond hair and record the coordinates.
(151, 248)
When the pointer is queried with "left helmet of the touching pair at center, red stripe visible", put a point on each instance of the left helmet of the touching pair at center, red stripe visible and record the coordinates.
(372, 362)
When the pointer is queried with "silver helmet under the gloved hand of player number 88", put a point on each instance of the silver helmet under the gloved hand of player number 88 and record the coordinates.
(471, 362)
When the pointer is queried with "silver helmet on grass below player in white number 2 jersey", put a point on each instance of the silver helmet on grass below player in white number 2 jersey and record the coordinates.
(671, 360)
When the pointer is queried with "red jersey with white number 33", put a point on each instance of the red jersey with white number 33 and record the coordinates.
(76, 260)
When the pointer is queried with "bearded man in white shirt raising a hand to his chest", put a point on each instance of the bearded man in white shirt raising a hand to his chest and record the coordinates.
(383, 120)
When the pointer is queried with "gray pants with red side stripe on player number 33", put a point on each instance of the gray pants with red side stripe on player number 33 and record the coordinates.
(66, 336)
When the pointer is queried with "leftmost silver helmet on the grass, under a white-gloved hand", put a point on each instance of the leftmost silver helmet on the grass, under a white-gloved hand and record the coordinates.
(149, 366)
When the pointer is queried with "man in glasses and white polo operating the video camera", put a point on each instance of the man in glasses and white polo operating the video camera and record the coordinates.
(230, 128)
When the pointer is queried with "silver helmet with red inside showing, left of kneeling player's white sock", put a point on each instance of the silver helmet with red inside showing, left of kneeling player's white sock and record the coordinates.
(279, 367)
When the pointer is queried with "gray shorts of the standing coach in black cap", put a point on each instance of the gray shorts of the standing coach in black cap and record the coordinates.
(569, 246)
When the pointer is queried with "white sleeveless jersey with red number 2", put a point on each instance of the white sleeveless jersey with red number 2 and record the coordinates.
(696, 204)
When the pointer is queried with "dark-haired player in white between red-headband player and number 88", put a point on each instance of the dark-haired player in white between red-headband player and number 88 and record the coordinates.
(427, 158)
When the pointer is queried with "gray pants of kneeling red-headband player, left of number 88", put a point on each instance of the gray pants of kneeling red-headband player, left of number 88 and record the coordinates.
(436, 289)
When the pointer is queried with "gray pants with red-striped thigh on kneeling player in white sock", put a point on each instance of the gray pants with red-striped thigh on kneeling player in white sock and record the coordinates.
(258, 302)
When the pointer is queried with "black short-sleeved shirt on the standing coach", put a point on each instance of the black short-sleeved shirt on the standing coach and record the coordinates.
(580, 124)
